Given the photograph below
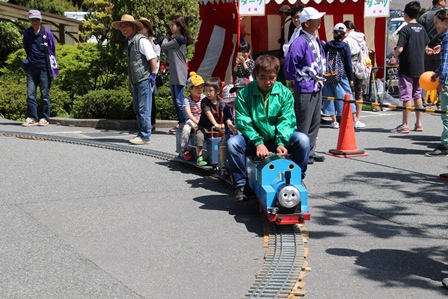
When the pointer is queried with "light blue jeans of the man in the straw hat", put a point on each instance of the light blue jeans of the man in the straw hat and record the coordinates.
(142, 104)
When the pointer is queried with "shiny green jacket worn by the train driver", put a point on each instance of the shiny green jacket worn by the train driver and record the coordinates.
(257, 125)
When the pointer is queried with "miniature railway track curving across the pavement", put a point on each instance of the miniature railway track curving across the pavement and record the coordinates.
(285, 264)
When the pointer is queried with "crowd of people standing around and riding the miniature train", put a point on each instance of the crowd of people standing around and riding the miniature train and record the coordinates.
(258, 114)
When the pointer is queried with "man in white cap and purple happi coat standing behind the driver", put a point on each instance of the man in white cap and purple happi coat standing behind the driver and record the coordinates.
(305, 66)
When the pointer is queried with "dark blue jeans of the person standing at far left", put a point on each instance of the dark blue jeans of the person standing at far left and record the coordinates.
(37, 77)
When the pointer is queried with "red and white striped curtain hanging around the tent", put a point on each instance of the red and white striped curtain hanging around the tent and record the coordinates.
(220, 29)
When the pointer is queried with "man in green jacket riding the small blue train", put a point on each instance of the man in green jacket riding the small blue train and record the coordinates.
(264, 115)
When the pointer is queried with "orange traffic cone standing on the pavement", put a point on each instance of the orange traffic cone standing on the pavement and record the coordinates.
(346, 140)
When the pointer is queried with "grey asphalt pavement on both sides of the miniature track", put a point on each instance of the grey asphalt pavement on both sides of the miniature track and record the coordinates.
(84, 222)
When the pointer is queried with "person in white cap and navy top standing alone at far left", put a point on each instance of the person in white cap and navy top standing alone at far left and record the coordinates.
(40, 66)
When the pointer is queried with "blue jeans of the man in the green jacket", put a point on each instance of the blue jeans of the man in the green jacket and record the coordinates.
(238, 148)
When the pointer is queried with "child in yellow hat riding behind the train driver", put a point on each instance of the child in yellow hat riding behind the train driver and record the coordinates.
(192, 106)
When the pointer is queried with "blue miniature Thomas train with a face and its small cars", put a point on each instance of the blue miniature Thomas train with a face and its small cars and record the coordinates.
(275, 181)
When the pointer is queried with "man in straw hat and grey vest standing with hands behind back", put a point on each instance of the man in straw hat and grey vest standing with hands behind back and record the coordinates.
(142, 66)
